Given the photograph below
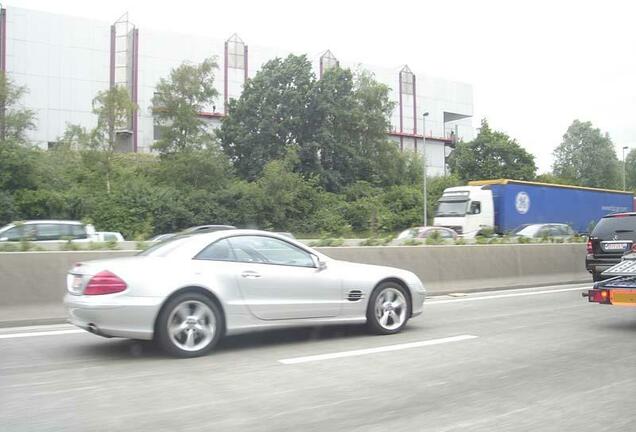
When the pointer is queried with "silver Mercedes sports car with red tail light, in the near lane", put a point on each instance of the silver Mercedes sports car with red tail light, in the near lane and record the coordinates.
(189, 291)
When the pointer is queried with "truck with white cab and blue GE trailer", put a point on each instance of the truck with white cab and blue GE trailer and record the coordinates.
(504, 205)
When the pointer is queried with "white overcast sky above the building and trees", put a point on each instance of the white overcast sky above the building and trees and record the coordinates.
(534, 66)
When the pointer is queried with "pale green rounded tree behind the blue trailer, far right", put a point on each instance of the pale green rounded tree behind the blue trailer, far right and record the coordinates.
(586, 157)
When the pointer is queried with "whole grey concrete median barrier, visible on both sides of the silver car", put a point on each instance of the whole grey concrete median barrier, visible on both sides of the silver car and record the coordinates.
(32, 284)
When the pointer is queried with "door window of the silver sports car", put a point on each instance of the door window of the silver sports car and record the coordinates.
(260, 249)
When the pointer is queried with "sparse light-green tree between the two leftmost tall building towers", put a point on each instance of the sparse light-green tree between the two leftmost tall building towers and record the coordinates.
(177, 104)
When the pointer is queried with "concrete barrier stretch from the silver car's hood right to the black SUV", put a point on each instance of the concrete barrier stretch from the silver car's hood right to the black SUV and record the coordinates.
(446, 269)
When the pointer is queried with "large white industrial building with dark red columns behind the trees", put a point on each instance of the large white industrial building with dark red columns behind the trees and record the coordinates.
(64, 61)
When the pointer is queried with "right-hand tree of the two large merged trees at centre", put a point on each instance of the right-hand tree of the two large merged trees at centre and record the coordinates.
(349, 115)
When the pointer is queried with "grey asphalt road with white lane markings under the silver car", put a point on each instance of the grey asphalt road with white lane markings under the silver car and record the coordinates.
(528, 360)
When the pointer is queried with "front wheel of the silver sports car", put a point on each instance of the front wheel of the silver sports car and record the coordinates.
(389, 309)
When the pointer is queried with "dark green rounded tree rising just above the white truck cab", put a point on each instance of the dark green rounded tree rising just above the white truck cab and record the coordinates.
(492, 154)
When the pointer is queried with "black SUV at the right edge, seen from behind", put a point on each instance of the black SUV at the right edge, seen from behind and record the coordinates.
(612, 236)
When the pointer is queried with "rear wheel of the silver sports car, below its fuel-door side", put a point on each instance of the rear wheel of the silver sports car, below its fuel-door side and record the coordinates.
(189, 325)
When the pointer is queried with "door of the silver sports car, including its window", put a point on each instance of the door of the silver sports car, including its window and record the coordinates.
(280, 281)
